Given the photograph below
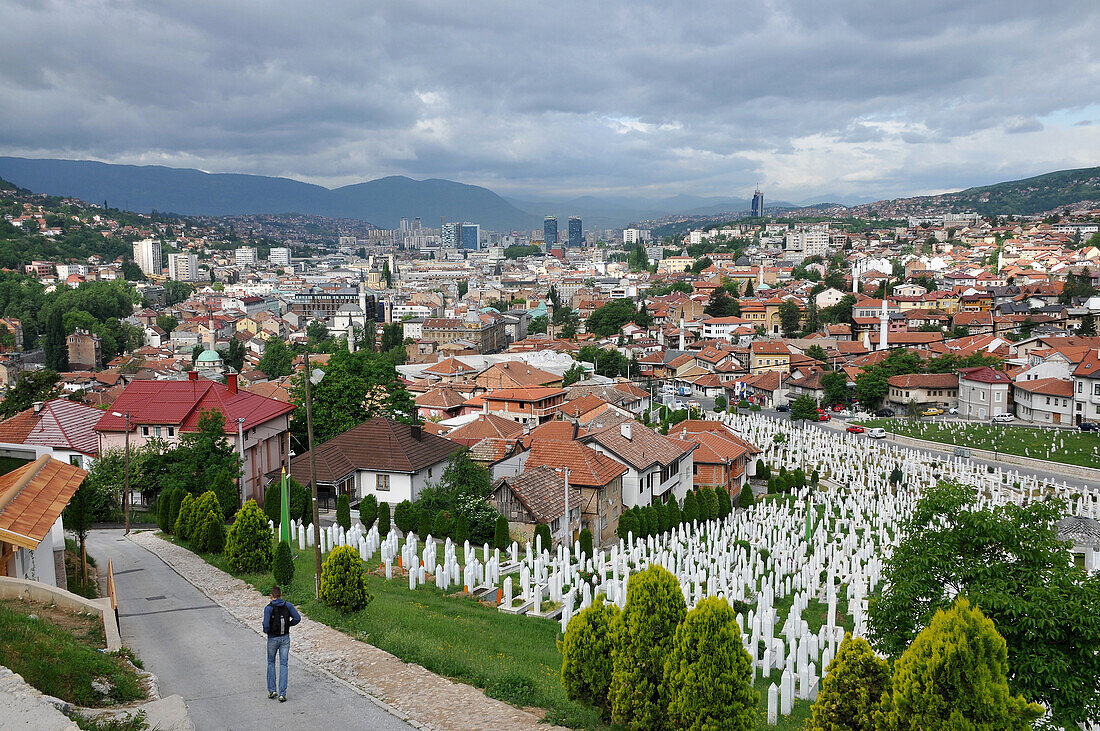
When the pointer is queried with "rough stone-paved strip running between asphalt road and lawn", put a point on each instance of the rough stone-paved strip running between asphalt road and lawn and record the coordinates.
(419, 695)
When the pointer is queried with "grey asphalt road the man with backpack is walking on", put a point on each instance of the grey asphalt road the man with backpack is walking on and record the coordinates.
(197, 650)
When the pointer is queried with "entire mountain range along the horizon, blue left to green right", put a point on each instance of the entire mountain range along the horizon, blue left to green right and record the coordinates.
(387, 201)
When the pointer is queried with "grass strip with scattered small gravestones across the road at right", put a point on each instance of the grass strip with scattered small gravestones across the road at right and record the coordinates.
(1079, 448)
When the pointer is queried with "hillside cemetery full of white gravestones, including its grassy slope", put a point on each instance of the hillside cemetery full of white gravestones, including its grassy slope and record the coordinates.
(798, 570)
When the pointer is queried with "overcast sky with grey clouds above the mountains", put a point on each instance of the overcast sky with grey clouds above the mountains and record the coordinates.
(866, 98)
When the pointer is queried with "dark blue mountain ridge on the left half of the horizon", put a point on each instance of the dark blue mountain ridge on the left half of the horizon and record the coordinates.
(194, 193)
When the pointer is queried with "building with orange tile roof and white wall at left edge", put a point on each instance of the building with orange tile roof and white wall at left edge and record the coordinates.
(32, 538)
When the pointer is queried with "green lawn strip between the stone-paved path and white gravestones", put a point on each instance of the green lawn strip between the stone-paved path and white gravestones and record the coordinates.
(514, 659)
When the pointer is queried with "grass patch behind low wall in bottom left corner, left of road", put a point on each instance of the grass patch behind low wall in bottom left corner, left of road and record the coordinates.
(61, 663)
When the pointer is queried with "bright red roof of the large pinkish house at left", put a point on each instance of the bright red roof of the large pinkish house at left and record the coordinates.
(182, 403)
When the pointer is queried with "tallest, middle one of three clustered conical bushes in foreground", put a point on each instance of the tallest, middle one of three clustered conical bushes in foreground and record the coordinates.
(655, 607)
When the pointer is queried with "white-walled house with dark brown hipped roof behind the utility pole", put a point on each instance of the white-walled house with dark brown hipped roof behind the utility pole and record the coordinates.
(383, 458)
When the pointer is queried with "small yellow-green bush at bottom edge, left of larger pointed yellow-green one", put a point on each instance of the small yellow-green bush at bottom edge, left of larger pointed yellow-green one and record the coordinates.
(852, 690)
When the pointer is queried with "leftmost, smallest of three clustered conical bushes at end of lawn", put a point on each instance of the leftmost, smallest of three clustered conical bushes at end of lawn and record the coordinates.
(587, 650)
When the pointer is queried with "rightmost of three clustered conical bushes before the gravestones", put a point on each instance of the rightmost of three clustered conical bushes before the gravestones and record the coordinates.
(709, 673)
